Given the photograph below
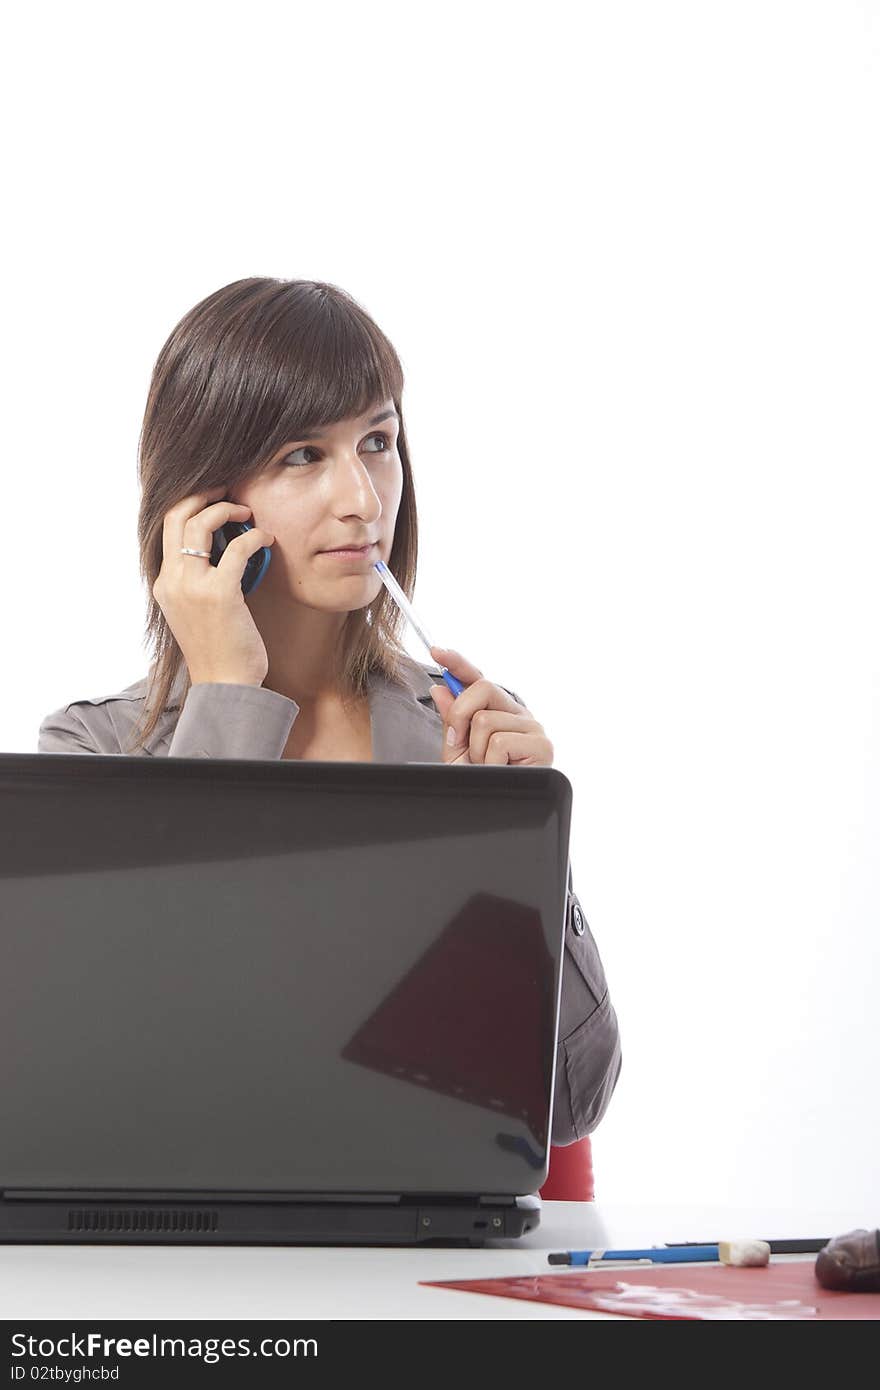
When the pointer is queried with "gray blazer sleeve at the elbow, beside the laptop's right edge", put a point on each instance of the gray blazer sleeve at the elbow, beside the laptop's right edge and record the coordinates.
(589, 1039)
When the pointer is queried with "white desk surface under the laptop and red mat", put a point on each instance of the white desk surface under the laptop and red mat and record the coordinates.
(302, 1282)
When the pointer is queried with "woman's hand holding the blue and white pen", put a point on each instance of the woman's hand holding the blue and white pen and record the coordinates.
(489, 725)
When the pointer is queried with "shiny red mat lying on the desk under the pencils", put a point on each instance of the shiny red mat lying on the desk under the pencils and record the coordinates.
(785, 1289)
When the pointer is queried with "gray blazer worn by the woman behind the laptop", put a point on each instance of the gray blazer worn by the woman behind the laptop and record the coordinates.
(220, 721)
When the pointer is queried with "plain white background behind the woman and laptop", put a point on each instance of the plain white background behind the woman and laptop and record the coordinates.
(628, 254)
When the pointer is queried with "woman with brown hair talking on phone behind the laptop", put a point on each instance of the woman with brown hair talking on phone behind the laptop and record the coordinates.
(279, 404)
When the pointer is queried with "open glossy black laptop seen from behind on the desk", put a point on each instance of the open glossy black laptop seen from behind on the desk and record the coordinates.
(277, 1003)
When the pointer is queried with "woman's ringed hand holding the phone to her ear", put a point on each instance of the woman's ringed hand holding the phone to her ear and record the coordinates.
(204, 604)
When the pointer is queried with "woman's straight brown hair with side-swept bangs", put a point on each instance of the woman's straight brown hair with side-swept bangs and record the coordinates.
(255, 365)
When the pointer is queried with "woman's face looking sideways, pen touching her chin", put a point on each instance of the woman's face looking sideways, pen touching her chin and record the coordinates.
(334, 489)
